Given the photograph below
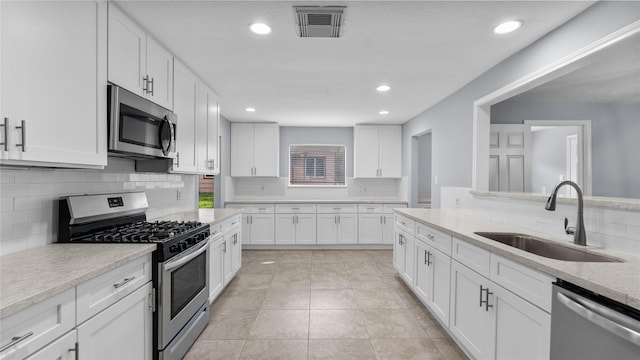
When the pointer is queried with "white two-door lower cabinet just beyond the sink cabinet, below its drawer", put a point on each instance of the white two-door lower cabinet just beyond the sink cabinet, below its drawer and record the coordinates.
(432, 279)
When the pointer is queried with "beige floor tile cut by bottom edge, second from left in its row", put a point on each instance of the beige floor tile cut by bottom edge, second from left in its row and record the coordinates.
(275, 350)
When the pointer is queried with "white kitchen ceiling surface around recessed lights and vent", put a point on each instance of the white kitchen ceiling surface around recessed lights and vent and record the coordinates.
(425, 50)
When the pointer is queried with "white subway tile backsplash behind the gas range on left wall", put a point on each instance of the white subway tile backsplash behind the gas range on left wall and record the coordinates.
(28, 197)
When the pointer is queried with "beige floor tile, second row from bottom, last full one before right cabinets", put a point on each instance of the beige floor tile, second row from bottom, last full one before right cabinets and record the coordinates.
(392, 324)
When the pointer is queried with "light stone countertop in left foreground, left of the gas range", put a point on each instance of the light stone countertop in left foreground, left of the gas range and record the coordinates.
(30, 276)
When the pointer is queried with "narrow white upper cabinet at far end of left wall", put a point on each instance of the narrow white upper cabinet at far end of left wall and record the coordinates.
(207, 129)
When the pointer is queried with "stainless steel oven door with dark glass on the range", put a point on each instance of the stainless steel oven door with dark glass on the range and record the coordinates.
(184, 288)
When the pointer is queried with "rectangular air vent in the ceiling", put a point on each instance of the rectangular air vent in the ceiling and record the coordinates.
(319, 21)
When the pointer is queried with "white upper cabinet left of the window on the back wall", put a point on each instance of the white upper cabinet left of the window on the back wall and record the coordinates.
(255, 149)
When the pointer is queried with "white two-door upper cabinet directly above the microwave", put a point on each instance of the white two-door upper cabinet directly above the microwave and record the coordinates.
(137, 62)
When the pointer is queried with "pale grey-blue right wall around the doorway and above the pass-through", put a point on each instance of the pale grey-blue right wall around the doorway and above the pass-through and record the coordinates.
(451, 120)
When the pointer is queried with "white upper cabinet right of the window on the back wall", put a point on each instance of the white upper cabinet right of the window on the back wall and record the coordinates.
(378, 151)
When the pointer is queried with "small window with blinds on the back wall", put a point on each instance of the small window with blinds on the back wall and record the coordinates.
(322, 165)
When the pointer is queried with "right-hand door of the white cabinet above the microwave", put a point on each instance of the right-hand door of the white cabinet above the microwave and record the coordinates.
(160, 74)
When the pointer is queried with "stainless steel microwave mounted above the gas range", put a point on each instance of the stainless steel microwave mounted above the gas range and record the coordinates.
(138, 128)
